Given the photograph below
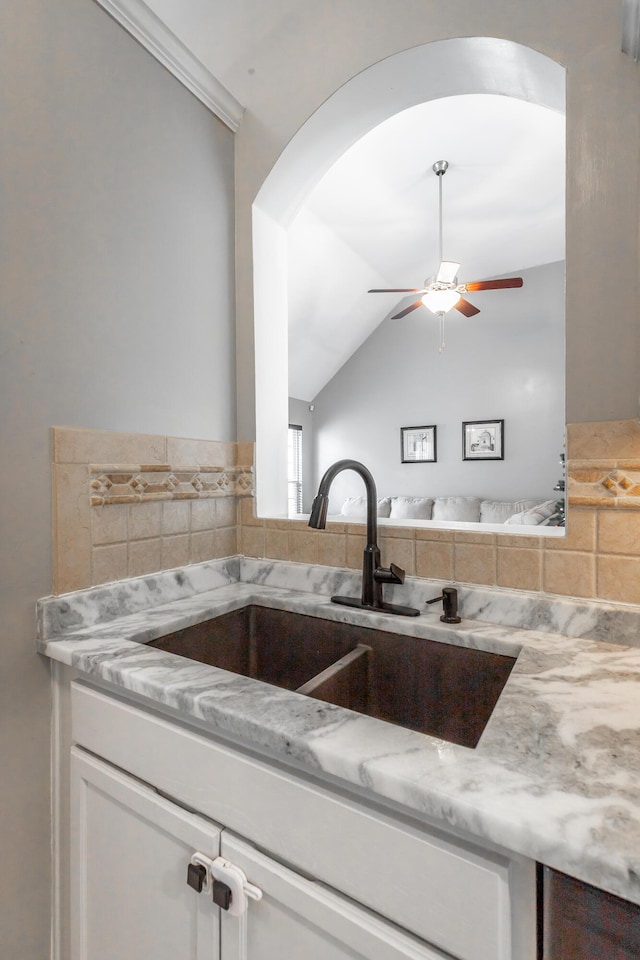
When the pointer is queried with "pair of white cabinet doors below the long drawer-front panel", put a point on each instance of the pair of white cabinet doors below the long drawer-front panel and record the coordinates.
(131, 900)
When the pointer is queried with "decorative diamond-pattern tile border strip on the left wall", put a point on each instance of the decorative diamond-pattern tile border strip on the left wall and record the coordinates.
(145, 483)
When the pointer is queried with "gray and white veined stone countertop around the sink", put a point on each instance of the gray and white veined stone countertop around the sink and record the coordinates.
(555, 776)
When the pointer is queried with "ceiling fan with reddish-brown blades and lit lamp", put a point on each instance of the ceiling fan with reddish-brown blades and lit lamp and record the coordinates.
(443, 292)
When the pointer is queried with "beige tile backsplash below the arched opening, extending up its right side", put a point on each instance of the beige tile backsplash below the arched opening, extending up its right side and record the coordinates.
(599, 558)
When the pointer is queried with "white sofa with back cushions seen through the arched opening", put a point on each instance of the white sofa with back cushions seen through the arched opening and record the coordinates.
(533, 512)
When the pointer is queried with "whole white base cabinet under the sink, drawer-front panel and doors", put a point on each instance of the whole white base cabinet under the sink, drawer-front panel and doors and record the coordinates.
(358, 881)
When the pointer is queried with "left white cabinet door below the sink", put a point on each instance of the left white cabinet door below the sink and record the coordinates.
(129, 857)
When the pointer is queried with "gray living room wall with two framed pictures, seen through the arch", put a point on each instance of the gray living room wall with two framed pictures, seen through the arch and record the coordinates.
(505, 363)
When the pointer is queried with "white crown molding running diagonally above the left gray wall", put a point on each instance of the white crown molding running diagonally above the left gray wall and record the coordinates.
(149, 30)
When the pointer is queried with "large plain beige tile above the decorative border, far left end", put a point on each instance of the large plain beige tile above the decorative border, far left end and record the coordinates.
(104, 446)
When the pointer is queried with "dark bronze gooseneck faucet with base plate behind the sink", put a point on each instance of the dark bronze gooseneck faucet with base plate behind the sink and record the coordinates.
(373, 574)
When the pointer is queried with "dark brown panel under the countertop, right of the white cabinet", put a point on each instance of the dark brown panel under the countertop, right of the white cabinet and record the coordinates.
(581, 922)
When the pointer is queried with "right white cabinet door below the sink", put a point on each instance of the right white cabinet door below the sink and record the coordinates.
(299, 919)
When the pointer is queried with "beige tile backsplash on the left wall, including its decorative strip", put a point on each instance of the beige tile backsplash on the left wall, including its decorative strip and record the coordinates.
(132, 504)
